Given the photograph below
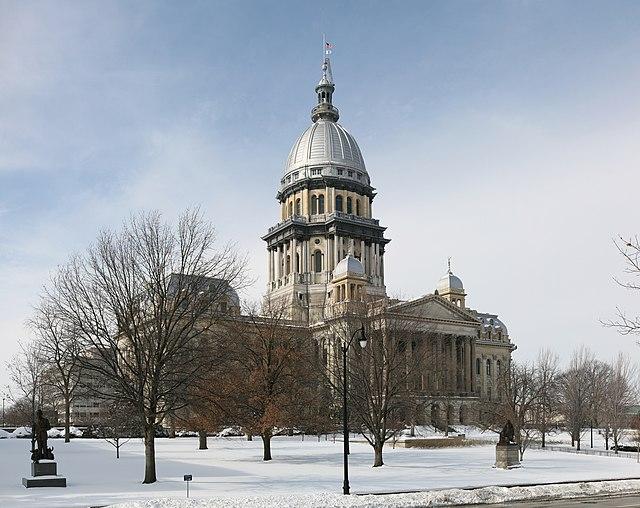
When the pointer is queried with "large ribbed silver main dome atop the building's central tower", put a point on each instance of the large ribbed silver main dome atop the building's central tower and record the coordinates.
(325, 143)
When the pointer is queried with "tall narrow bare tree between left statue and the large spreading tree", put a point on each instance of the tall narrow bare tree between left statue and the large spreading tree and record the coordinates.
(60, 351)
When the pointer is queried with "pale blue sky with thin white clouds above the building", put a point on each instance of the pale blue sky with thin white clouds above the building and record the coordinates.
(502, 134)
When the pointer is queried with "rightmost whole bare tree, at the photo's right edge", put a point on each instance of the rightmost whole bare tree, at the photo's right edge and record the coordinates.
(620, 394)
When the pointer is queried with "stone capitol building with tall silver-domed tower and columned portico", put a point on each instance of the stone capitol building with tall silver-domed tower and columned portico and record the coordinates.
(327, 252)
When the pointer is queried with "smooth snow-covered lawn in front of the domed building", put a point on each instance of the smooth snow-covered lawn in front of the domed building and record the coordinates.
(232, 467)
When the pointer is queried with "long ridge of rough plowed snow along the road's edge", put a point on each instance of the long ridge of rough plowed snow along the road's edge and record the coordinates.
(485, 495)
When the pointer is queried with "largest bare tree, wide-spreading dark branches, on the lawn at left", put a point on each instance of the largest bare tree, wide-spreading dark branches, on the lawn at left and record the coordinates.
(144, 302)
